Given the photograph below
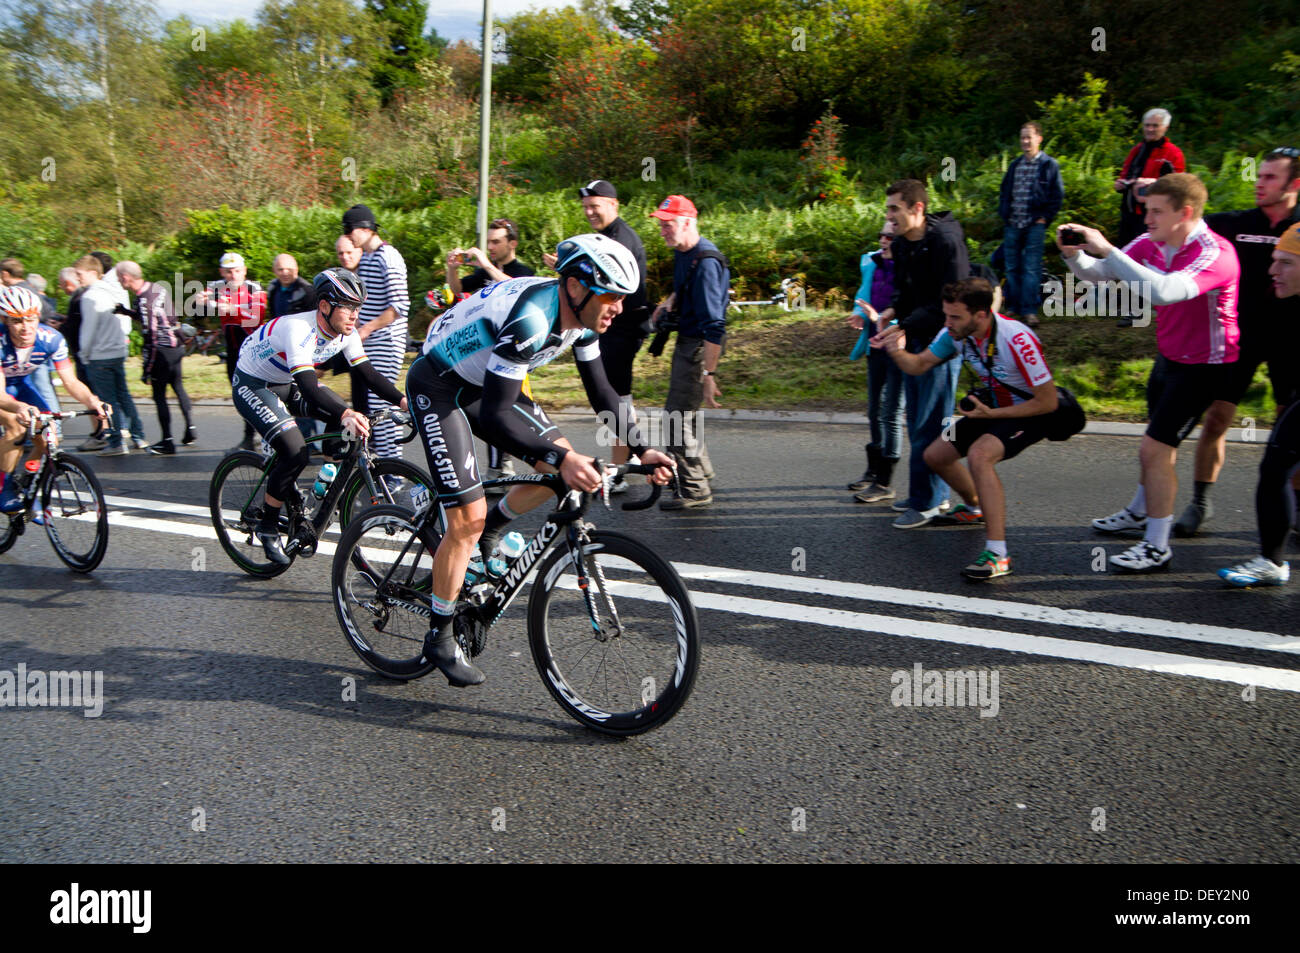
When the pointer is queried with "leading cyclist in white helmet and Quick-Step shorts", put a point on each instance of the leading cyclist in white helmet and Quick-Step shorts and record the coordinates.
(469, 382)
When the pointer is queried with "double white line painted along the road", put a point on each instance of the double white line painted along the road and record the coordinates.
(1121, 657)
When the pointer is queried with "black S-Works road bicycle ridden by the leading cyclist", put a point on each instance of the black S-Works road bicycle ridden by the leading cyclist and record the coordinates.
(612, 626)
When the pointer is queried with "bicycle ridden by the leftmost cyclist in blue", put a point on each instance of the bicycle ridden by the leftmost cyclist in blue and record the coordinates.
(64, 495)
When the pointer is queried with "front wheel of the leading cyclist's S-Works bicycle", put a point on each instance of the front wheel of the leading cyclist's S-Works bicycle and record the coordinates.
(629, 666)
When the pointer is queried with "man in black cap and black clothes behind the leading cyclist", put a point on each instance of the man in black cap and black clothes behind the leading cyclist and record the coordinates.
(619, 345)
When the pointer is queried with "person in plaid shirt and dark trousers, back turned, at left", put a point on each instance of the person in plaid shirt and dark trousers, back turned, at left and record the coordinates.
(162, 353)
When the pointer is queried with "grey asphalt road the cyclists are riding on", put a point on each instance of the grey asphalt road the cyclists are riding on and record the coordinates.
(1138, 720)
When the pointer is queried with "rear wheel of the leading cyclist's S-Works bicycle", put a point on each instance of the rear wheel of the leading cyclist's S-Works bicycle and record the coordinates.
(382, 581)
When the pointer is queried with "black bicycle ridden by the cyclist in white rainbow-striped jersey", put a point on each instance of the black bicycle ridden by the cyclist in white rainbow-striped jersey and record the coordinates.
(239, 491)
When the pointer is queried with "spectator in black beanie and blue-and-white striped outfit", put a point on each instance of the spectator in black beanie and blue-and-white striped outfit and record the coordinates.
(383, 323)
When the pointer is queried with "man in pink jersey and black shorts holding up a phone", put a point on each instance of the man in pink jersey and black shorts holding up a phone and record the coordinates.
(1191, 276)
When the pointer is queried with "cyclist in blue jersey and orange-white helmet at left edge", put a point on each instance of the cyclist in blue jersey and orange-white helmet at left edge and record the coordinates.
(27, 345)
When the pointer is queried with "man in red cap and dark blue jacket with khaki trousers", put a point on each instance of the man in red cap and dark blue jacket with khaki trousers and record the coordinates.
(699, 301)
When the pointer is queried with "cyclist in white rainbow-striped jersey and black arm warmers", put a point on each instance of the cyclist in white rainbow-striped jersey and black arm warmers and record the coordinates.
(275, 382)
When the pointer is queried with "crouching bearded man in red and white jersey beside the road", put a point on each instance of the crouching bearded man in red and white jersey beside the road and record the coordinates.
(1022, 400)
